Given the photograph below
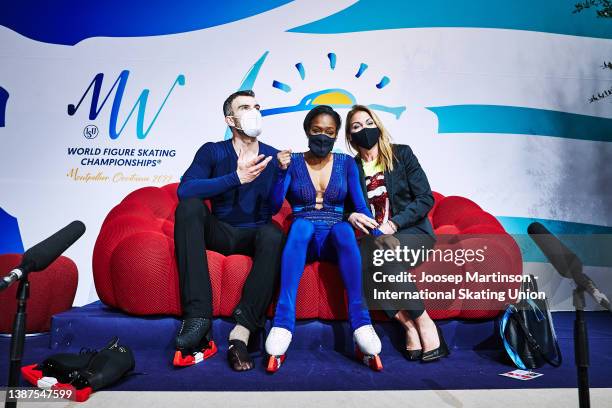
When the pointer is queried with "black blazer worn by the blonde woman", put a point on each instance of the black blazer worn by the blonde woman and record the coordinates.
(410, 196)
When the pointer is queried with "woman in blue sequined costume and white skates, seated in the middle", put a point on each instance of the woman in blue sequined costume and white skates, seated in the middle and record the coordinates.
(316, 184)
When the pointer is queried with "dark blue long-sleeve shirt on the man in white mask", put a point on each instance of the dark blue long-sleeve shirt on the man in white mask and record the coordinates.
(212, 175)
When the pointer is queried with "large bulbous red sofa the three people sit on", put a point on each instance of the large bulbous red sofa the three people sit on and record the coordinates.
(135, 270)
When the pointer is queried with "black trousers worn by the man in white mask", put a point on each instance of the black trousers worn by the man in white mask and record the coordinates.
(196, 230)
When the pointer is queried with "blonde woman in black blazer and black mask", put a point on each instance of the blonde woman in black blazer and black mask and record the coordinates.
(398, 193)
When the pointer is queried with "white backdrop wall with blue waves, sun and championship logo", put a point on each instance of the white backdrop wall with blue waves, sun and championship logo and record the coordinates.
(509, 104)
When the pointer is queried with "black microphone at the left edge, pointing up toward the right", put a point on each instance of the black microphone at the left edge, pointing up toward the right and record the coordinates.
(42, 254)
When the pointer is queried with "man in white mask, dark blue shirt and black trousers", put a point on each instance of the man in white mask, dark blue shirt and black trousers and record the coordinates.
(236, 176)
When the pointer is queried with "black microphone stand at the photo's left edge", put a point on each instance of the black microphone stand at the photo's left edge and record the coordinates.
(18, 337)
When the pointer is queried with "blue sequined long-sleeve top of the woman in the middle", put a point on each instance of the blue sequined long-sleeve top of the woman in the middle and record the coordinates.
(296, 185)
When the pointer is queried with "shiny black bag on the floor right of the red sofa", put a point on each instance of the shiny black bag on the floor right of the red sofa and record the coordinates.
(528, 333)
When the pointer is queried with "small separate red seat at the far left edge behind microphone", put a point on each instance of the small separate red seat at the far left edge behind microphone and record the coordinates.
(52, 291)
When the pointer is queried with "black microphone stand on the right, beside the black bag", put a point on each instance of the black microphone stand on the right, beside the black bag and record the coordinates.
(581, 348)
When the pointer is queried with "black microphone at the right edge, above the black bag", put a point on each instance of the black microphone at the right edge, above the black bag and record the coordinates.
(565, 262)
